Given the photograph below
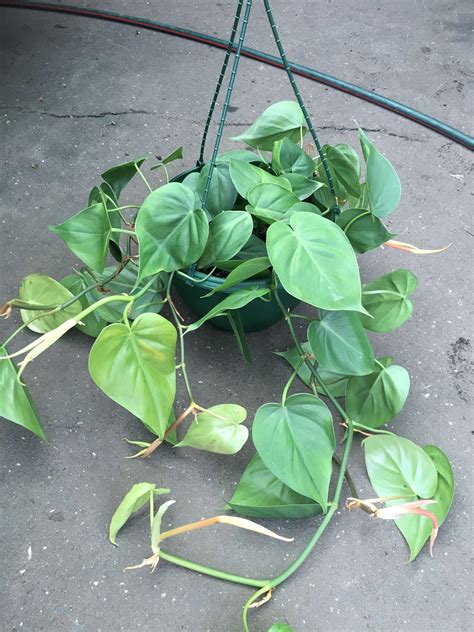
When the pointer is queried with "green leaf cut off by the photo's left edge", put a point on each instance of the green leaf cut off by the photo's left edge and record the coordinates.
(16, 404)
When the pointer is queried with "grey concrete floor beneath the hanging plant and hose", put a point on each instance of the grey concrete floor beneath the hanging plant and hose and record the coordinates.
(80, 95)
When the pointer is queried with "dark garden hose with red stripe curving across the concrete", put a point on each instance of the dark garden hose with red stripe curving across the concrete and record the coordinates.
(338, 84)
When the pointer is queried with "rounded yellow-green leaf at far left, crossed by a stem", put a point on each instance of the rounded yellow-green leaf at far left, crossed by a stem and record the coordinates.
(39, 289)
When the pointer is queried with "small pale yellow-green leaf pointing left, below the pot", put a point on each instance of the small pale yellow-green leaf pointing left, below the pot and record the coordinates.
(218, 430)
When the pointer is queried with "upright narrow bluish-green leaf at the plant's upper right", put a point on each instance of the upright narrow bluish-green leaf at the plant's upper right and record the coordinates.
(383, 184)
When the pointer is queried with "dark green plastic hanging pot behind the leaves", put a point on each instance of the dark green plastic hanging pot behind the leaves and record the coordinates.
(256, 315)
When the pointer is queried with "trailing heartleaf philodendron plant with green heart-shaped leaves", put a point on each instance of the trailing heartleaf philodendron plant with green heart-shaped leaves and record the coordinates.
(289, 224)
